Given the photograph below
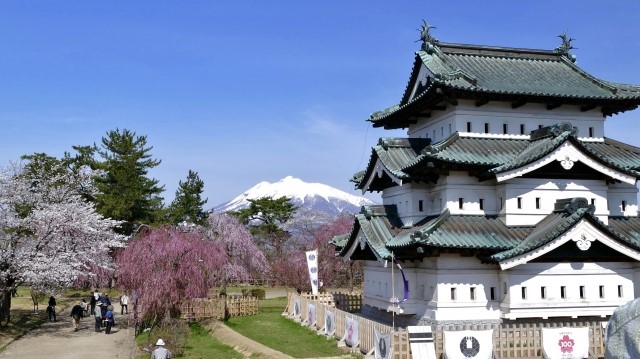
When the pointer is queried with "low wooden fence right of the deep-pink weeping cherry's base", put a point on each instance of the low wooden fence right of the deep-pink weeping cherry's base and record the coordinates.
(219, 308)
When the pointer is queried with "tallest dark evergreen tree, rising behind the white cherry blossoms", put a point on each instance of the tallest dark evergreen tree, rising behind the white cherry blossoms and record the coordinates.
(126, 192)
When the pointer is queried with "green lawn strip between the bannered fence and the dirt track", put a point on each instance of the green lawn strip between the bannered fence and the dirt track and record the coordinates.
(270, 328)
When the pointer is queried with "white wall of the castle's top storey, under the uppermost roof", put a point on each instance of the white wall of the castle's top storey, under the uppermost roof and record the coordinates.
(496, 114)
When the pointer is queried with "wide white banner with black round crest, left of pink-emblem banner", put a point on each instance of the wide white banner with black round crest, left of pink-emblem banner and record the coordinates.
(476, 344)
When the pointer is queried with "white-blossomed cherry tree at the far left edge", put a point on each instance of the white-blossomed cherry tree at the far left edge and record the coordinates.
(49, 233)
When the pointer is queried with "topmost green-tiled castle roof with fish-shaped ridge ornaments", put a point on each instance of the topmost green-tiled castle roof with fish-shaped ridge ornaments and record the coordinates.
(502, 74)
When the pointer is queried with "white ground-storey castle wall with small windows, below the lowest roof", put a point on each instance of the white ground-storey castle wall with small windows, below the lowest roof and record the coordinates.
(451, 287)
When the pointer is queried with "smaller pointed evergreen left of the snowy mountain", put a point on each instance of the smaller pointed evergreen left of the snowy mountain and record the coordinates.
(188, 202)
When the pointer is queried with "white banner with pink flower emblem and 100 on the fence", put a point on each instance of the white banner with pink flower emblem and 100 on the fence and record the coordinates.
(566, 343)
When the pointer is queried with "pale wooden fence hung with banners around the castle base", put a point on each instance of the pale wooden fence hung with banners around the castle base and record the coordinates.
(519, 340)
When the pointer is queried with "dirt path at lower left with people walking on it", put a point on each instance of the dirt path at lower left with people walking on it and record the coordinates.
(58, 340)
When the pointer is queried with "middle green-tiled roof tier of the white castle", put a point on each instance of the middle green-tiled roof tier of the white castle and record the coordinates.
(489, 156)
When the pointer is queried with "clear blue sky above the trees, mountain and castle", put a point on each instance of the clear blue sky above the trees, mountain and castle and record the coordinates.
(246, 91)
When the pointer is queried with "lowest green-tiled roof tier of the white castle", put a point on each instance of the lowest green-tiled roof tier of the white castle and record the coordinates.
(487, 236)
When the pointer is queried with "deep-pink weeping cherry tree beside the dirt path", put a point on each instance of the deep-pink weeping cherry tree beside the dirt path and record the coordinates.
(162, 267)
